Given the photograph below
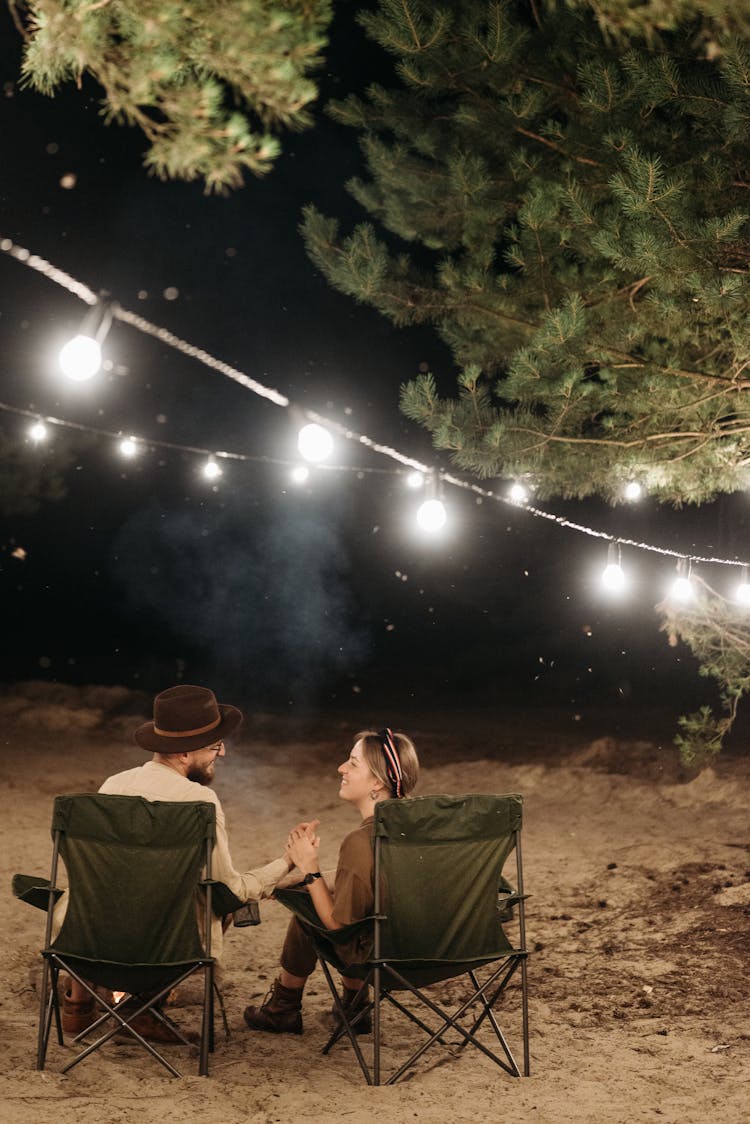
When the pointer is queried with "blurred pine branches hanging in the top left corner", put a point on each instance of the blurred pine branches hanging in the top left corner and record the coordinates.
(206, 81)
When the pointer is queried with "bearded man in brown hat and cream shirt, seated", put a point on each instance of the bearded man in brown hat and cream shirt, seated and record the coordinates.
(185, 738)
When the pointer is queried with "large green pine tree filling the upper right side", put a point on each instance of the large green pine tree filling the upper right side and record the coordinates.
(563, 192)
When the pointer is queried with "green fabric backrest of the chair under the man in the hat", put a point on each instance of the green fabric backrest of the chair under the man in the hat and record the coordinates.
(133, 867)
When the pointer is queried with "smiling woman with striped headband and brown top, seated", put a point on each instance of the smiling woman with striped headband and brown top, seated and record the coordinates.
(381, 767)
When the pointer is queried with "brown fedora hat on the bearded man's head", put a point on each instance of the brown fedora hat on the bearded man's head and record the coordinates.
(186, 719)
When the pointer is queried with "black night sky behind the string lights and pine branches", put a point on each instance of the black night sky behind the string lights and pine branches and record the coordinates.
(276, 595)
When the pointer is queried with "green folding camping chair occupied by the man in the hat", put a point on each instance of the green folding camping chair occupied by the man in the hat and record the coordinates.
(132, 921)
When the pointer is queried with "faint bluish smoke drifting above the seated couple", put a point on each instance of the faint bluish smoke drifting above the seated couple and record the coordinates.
(261, 596)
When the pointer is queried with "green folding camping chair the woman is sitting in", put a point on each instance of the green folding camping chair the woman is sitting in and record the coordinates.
(440, 907)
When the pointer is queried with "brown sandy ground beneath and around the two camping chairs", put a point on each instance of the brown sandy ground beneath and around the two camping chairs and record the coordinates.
(639, 930)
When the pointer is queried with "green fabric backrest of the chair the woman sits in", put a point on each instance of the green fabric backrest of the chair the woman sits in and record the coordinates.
(439, 862)
